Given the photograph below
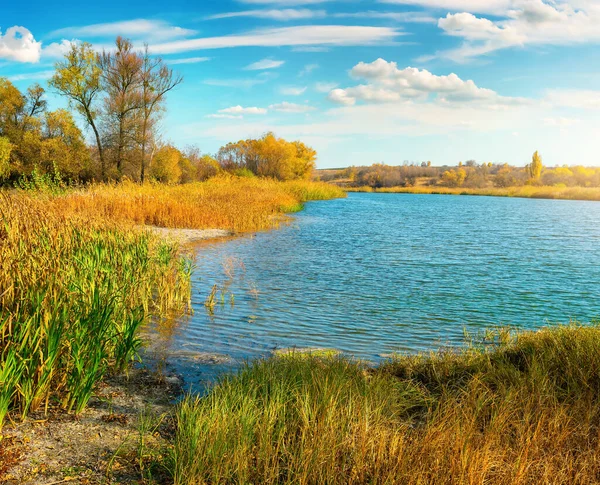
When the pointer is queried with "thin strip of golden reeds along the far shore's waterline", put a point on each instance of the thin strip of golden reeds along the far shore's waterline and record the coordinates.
(527, 191)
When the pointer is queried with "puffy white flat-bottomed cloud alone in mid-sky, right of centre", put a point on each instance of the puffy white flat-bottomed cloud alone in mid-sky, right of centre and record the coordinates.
(385, 83)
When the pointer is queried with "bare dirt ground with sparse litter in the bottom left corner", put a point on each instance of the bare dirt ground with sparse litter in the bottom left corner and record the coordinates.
(121, 437)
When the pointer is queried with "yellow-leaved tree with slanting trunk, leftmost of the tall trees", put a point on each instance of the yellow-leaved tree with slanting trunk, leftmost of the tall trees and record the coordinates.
(78, 78)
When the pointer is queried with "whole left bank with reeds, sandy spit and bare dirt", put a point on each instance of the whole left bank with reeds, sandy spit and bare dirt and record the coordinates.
(78, 278)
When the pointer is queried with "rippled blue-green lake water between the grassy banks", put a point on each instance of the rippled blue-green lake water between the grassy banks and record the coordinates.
(380, 273)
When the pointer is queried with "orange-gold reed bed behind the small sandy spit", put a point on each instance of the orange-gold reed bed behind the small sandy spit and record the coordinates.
(225, 202)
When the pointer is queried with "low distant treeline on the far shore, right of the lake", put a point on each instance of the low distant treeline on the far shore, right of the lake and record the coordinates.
(469, 175)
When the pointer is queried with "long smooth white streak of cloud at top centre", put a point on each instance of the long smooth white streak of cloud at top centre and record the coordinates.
(307, 35)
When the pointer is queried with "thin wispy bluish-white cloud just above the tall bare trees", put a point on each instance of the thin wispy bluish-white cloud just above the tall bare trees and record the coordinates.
(138, 28)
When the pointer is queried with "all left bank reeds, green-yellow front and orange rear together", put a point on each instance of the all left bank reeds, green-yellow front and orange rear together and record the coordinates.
(77, 280)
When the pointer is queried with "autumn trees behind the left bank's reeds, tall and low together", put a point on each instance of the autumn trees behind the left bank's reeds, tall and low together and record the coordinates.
(120, 95)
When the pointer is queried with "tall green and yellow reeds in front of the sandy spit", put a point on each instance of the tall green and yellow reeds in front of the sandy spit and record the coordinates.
(73, 293)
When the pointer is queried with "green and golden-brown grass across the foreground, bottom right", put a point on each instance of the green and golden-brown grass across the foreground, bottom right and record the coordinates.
(523, 411)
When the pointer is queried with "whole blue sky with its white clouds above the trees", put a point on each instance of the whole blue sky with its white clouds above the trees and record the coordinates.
(361, 81)
